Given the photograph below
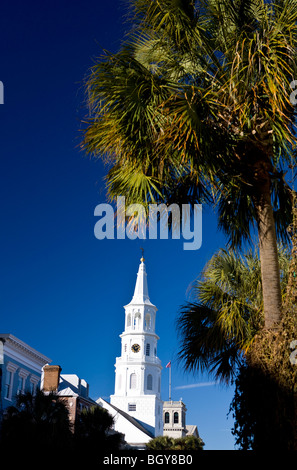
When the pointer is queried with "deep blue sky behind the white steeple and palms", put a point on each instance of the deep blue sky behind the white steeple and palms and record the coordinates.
(62, 290)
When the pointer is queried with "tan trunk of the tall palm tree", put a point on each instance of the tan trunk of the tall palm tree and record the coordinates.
(267, 246)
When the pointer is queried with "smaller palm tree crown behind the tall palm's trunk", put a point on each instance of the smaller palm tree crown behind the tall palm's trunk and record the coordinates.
(217, 328)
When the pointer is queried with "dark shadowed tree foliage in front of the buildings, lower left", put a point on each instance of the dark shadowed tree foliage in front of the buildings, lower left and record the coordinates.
(41, 423)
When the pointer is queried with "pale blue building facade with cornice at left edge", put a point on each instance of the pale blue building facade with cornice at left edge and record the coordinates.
(20, 369)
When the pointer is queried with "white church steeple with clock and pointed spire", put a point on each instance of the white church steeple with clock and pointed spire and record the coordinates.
(138, 369)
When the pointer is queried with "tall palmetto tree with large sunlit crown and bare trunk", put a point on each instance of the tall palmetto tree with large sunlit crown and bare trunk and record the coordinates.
(195, 107)
